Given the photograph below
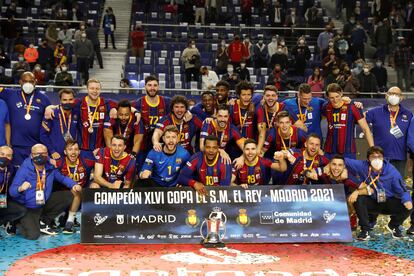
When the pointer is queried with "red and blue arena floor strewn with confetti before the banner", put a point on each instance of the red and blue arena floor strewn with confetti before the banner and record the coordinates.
(63, 254)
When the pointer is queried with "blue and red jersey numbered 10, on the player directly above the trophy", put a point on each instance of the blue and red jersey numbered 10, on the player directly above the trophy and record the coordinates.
(196, 169)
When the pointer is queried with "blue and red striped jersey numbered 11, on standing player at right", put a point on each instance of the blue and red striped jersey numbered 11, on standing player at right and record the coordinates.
(341, 125)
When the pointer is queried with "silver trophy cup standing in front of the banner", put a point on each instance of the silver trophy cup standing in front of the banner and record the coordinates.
(216, 228)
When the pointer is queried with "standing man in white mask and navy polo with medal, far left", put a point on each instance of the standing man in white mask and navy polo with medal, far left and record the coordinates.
(26, 108)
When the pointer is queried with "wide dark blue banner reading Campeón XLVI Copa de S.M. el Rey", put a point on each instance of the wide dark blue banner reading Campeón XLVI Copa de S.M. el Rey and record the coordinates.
(259, 214)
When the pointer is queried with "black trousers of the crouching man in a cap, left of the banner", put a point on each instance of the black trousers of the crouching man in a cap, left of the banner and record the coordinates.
(57, 203)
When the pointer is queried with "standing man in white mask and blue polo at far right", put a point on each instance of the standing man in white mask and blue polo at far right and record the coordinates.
(389, 124)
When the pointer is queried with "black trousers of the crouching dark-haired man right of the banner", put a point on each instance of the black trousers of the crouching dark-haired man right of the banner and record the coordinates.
(366, 205)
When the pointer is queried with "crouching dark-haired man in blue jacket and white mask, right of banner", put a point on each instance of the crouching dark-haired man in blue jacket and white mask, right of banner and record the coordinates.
(382, 191)
